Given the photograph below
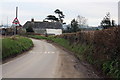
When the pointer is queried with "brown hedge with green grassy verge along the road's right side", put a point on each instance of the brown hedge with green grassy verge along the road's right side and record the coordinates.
(99, 48)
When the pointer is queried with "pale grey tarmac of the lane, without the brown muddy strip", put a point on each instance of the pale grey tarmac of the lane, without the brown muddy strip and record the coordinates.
(40, 62)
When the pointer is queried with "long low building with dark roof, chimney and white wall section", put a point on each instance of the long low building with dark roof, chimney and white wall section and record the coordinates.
(50, 28)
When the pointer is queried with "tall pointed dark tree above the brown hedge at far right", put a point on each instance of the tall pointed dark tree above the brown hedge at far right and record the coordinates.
(106, 23)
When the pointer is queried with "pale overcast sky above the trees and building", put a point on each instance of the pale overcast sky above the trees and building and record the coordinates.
(92, 10)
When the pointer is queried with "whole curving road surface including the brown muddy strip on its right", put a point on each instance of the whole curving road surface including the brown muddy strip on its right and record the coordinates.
(46, 60)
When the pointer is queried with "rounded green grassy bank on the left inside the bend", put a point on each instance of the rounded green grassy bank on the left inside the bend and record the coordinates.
(15, 45)
